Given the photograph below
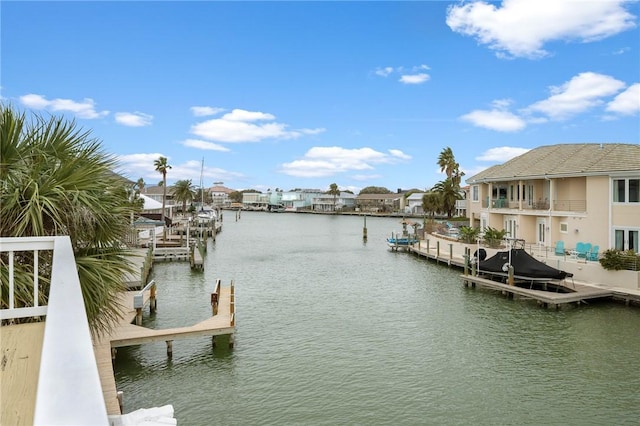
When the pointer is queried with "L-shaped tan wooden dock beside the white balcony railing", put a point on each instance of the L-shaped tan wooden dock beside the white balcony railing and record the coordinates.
(127, 334)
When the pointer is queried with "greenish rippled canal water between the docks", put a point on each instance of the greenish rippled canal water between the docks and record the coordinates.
(333, 330)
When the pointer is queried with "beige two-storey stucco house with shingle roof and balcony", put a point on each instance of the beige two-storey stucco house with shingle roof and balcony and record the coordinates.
(573, 193)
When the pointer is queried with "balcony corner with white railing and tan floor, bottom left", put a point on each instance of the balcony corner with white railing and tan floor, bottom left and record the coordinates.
(67, 388)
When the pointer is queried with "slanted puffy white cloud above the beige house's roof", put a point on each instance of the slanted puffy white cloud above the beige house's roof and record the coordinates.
(579, 94)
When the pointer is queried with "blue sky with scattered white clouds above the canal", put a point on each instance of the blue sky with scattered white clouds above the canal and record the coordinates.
(304, 94)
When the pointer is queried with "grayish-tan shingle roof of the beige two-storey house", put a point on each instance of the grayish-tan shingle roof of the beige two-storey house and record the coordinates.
(566, 160)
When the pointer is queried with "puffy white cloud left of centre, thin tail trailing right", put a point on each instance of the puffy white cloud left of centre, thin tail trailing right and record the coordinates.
(240, 126)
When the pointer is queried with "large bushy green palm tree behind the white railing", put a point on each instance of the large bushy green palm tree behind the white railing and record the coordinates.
(56, 180)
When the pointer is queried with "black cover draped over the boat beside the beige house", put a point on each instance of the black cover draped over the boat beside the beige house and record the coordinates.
(524, 265)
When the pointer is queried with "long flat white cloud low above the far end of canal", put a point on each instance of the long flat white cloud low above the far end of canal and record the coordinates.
(328, 161)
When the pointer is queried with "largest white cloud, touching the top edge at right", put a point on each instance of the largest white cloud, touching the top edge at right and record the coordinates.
(520, 28)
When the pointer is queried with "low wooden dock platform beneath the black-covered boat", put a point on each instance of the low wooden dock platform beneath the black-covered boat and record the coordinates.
(578, 294)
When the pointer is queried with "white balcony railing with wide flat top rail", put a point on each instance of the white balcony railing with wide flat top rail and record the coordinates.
(69, 390)
